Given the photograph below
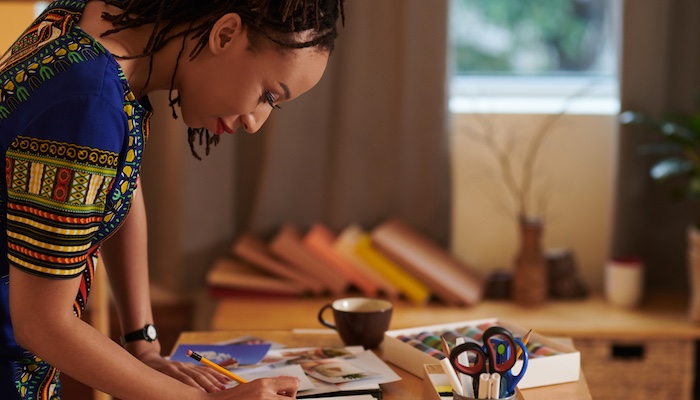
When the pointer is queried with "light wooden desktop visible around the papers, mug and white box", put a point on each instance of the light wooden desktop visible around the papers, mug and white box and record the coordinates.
(409, 387)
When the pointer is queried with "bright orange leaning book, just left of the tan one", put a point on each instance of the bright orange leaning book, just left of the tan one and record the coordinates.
(319, 240)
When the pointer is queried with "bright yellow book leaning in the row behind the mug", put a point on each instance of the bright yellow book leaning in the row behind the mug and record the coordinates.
(415, 291)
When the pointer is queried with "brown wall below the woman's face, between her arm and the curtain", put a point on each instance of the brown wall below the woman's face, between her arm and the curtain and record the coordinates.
(189, 202)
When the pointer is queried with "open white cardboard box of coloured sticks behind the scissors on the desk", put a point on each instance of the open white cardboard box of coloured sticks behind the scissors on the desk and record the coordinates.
(565, 366)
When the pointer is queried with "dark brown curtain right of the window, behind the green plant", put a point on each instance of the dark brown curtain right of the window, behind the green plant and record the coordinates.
(660, 73)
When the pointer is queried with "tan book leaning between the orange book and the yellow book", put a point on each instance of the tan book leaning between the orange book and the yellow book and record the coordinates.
(345, 245)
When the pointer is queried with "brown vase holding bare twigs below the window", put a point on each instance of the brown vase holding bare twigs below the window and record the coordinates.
(529, 286)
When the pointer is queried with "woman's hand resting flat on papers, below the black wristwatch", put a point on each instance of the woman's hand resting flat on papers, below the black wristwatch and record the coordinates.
(198, 376)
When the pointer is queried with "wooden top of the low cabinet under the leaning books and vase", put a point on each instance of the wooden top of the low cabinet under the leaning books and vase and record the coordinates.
(660, 317)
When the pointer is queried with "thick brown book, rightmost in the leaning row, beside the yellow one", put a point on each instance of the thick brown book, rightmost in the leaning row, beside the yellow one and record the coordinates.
(450, 279)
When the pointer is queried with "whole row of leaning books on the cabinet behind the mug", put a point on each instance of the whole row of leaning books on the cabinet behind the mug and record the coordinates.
(392, 260)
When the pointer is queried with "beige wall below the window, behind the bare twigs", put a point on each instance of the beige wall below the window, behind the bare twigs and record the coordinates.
(575, 172)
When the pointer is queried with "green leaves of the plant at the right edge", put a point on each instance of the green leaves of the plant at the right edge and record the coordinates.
(677, 153)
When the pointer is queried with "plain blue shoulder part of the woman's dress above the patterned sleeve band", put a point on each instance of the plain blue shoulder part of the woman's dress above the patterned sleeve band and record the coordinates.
(85, 99)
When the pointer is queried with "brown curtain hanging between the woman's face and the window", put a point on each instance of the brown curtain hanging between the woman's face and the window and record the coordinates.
(370, 140)
